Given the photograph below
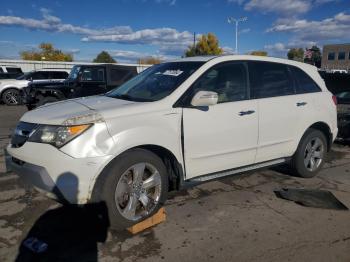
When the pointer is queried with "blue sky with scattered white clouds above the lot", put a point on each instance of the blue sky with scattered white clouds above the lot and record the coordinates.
(130, 29)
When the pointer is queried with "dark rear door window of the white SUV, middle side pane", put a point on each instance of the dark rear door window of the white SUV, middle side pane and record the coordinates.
(269, 80)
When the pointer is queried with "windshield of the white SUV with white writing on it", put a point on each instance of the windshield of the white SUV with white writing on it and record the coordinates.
(156, 82)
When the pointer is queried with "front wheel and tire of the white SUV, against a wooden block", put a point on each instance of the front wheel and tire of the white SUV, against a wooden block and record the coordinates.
(134, 187)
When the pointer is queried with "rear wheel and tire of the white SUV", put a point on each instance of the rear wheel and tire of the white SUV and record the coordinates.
(310, 155)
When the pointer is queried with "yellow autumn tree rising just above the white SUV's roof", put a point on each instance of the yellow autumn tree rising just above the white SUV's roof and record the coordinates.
(207, 45)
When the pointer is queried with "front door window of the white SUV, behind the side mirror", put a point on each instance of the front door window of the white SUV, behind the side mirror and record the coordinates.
(228, 80)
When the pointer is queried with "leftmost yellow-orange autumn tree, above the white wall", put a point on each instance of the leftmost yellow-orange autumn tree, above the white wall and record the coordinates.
(46, 52)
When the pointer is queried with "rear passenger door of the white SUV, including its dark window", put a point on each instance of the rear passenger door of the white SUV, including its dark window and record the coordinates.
(274, 90)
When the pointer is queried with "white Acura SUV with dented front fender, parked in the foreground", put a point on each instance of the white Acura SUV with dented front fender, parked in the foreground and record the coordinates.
(177, 123)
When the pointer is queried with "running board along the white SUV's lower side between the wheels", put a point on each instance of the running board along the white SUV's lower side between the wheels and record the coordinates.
(236, 171)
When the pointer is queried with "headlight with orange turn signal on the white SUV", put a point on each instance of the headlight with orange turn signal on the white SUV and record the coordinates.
(57, 136)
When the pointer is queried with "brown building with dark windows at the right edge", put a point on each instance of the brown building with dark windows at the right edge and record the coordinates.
(336, 57)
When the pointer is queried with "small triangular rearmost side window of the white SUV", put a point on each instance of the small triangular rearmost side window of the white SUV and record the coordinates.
(304, 83)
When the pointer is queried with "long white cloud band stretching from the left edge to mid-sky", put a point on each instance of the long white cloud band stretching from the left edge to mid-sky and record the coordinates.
(168, 39)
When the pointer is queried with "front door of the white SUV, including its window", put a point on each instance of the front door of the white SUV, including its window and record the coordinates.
(222, 136)
